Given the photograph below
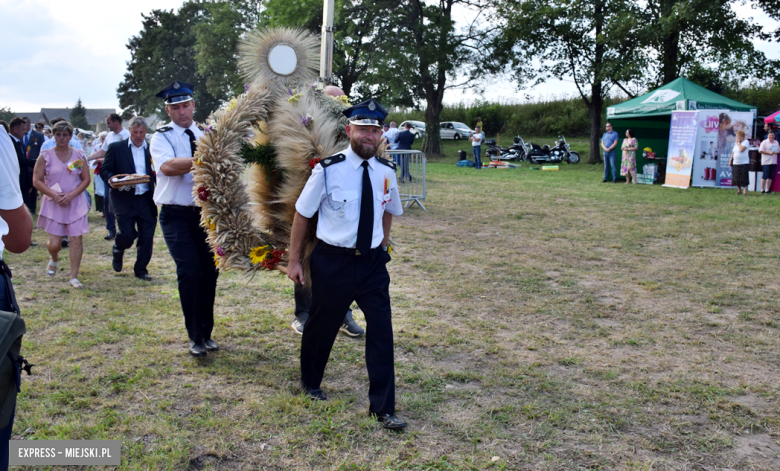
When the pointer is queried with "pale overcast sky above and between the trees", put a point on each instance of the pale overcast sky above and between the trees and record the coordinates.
(55, 52)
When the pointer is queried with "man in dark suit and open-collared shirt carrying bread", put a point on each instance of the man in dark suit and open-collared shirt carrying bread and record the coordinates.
(134, 206)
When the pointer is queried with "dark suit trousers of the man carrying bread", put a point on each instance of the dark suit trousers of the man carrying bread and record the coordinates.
(141, 226)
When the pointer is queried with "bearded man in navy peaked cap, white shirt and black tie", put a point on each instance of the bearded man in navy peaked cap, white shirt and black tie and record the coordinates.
(356, 194)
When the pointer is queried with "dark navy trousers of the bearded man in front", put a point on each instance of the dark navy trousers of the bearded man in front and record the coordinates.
(338, 277)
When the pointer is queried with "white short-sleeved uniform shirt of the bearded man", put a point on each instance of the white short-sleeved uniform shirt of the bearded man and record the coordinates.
(338, 199)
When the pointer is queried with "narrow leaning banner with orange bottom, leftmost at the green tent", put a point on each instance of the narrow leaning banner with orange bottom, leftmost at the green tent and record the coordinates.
(682, 145)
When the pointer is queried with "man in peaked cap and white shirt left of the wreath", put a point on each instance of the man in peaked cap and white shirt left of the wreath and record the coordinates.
(173, 148)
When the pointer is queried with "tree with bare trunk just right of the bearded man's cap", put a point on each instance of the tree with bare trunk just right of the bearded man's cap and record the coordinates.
(423, 54)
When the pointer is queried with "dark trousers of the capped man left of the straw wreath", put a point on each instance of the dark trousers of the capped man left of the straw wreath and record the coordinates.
(195, 270)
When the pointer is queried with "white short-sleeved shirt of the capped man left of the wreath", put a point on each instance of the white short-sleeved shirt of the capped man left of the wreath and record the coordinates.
(165, 146)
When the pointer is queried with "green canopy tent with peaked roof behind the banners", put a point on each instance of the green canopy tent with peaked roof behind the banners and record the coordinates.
(649, 115)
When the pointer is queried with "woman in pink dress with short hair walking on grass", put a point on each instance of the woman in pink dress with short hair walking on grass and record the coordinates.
(61, 174)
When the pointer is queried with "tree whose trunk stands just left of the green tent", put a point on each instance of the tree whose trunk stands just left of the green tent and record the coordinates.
(593, 42)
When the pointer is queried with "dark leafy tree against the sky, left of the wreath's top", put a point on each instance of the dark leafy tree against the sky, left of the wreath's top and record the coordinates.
(164, 51)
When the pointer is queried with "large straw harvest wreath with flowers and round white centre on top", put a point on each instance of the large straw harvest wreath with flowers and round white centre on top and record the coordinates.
(271, 136)
